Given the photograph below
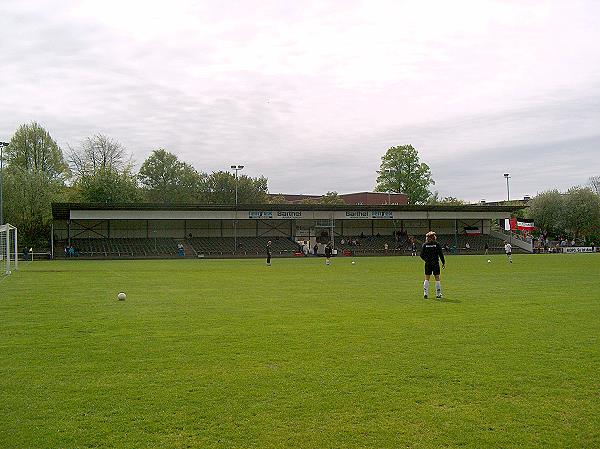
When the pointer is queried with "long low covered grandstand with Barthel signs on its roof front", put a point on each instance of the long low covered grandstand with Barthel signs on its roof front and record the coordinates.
(151, 230)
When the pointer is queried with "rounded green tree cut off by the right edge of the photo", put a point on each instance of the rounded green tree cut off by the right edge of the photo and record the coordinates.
(582, 211)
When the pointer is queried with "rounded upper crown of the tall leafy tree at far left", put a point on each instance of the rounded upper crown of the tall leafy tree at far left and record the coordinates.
(32, 149)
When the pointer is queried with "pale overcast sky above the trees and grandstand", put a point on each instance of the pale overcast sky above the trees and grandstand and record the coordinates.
(311, 94)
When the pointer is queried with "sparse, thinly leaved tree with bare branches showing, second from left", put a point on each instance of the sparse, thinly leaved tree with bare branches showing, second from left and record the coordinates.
(103, 172)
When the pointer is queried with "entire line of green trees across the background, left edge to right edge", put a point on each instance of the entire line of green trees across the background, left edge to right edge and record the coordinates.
(100, 170)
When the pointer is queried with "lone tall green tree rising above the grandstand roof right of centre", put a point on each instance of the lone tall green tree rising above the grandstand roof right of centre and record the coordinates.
(401, 171)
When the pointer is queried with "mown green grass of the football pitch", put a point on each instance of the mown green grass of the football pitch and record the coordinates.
(233, 354)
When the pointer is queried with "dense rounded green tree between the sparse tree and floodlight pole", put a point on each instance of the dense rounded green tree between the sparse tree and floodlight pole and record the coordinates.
(165, 179)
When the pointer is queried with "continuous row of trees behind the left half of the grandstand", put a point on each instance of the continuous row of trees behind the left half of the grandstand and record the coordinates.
(100, 170)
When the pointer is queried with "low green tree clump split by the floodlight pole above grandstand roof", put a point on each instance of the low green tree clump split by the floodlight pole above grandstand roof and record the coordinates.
(221, 189)
